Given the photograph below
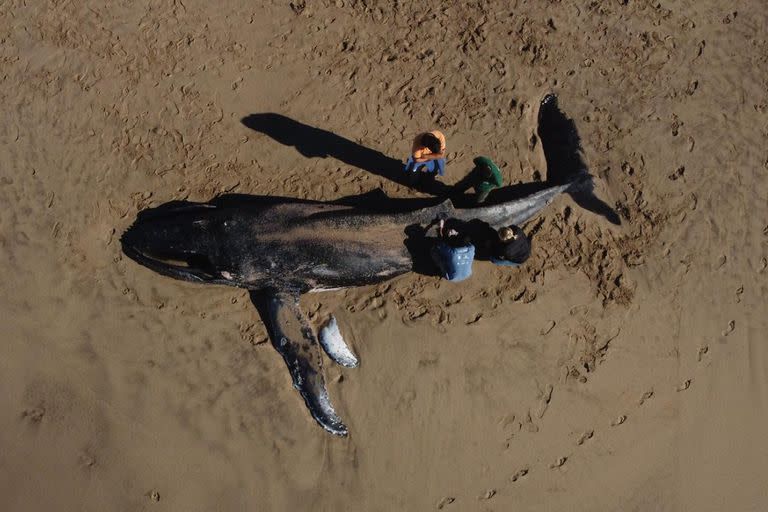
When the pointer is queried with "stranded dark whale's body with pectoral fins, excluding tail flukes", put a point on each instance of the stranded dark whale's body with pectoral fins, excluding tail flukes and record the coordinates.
(280, 249)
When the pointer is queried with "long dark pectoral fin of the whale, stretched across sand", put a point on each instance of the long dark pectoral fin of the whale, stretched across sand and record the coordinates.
(292, 336)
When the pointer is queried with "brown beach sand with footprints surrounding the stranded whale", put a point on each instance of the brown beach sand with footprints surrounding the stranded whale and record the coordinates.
(623, 368)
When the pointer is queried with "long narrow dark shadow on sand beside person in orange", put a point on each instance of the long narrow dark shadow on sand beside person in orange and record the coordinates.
(318, 143)
